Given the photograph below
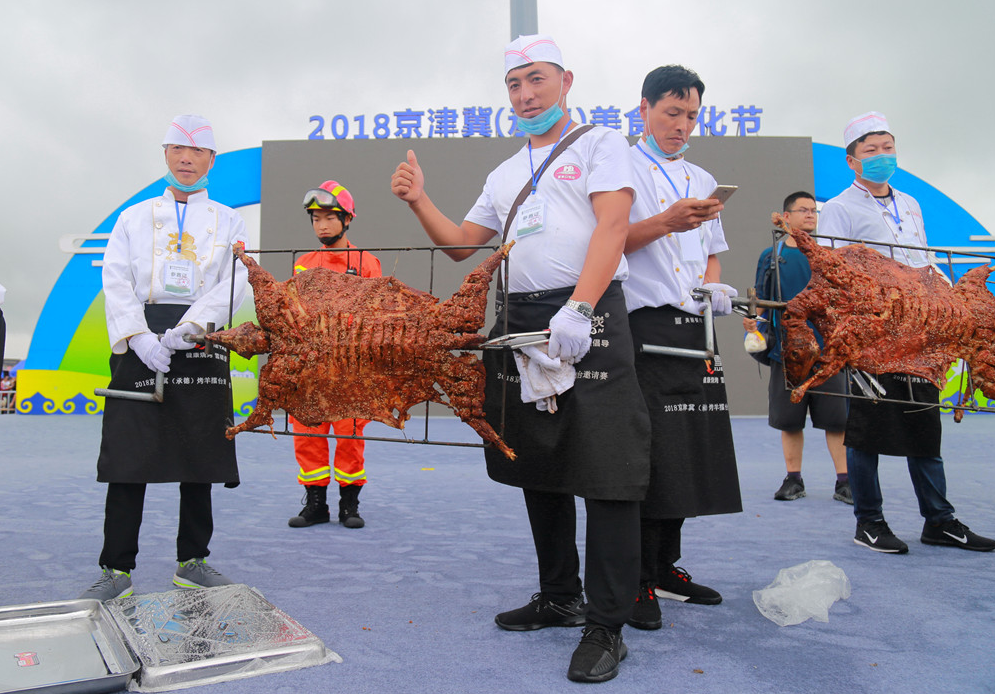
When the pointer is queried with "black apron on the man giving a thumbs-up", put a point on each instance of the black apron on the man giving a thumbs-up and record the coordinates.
(596, 446)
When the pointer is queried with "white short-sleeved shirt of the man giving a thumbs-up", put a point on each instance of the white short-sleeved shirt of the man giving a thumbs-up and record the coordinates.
(552, 258)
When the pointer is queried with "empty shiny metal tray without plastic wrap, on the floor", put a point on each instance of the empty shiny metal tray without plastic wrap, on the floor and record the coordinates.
(68, 646)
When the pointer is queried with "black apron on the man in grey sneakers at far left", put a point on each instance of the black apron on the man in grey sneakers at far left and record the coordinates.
(181, 439)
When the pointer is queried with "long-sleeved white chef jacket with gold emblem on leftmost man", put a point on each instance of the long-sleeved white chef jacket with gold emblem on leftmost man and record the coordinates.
(145, 238)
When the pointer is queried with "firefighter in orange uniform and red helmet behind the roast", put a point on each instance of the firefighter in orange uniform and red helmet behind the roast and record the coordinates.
(332, 208)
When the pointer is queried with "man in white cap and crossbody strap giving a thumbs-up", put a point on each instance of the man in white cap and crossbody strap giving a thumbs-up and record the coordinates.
(565, 274)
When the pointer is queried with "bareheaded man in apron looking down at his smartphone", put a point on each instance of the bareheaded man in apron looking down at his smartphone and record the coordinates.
(675, 236)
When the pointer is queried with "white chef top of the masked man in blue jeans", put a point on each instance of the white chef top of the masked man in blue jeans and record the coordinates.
(856, 214)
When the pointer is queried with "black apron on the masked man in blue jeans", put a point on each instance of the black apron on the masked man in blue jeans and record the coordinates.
(903, 429)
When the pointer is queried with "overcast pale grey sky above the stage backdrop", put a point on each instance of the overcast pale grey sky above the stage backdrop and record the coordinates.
(88, 88)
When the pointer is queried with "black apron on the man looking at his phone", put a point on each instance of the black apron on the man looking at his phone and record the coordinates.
(693, 461)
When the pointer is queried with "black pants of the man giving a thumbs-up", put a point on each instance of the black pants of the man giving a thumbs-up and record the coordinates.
(611, 571)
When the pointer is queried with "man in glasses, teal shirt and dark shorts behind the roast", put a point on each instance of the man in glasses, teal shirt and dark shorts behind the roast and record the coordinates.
(828, 412)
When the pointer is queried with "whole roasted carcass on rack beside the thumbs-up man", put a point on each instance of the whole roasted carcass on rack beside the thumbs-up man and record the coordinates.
(342, 347)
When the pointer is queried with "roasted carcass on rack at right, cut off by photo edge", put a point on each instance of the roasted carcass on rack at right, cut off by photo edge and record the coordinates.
(880, 316)
